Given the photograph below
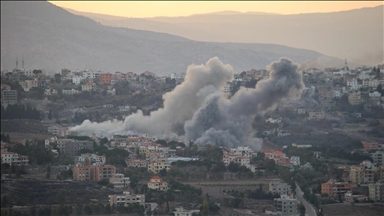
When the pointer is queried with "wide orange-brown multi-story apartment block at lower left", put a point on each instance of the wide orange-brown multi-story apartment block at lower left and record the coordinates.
(93, 172)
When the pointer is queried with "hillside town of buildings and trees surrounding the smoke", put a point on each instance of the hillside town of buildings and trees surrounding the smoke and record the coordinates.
(321, 153)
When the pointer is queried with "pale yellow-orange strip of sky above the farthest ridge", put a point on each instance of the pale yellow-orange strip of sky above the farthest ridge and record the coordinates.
(184, 8)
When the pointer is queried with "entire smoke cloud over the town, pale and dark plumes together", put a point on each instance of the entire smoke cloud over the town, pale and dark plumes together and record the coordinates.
(207, 115)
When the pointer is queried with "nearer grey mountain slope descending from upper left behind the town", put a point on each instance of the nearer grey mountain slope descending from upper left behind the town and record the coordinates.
(51, 38)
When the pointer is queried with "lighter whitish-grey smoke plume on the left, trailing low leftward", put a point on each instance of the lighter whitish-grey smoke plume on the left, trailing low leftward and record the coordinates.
(179, 104)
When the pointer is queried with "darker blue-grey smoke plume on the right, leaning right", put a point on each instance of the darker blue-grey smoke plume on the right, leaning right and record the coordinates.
(228, 122)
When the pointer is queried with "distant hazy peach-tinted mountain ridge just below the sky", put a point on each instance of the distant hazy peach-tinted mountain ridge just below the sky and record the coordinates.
(356, 34)
